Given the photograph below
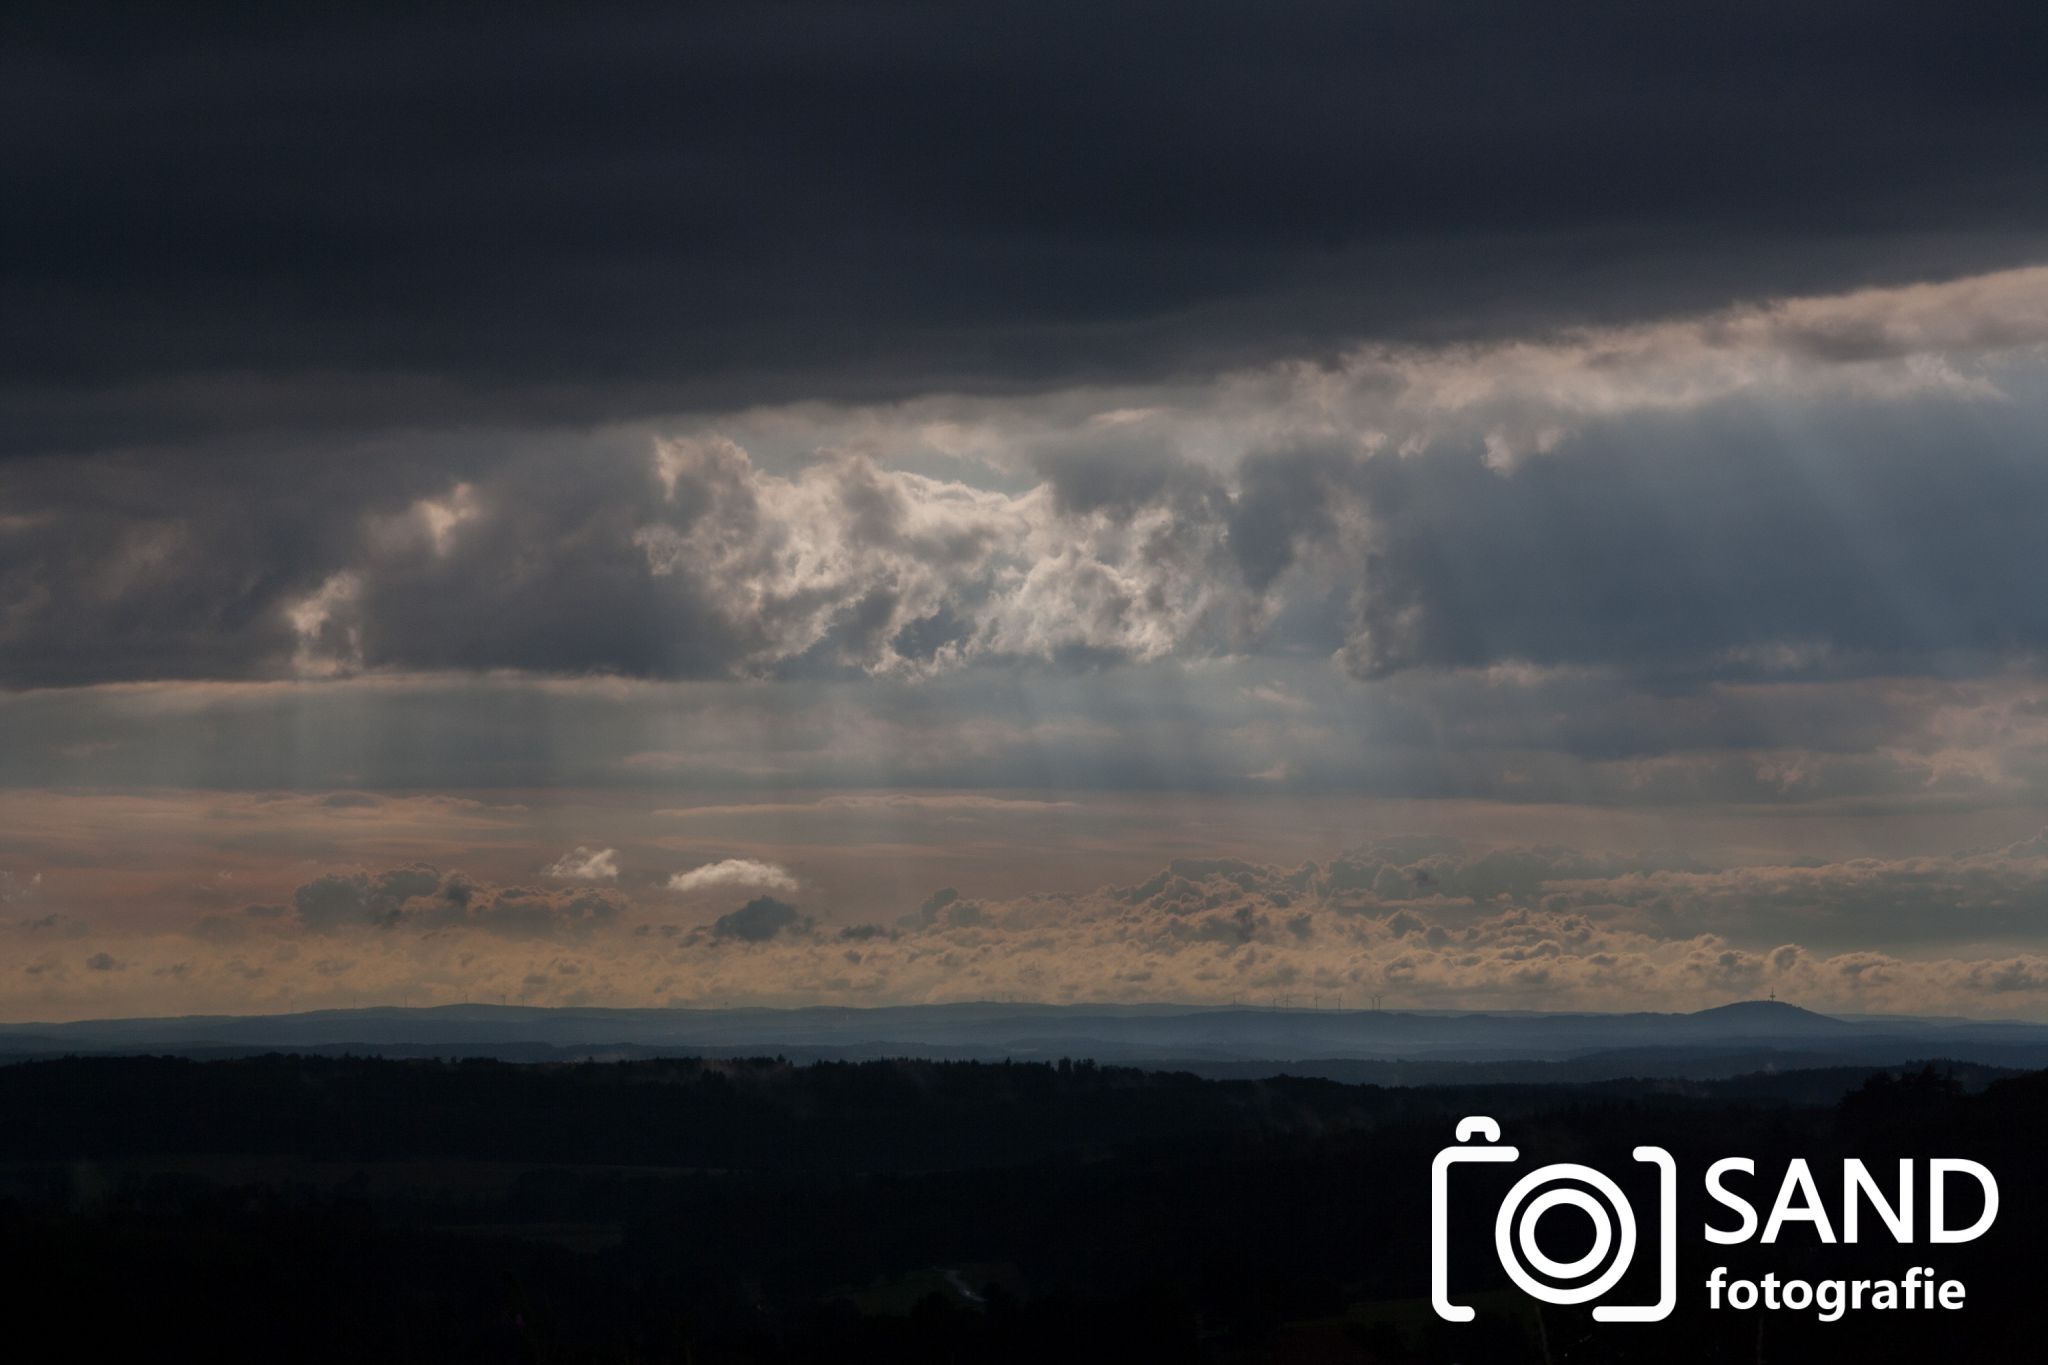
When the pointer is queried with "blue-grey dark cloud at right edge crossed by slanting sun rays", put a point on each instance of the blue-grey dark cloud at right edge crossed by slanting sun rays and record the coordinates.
(1736, 543)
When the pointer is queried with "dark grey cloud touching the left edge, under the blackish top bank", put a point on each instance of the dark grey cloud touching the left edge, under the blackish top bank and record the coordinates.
(181, 562)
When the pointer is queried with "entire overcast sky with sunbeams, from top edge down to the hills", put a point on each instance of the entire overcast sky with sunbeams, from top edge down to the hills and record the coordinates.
(1471, 502)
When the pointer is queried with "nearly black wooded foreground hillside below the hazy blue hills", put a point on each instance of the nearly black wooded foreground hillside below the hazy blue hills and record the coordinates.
(683, 1210)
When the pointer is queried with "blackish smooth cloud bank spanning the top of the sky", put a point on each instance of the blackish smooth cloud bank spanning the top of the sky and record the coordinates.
(257, 220)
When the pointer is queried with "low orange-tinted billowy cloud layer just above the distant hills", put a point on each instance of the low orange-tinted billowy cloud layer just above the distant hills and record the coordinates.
(1422, 922)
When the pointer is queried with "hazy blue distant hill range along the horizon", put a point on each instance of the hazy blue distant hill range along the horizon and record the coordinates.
(1351, 1045)
